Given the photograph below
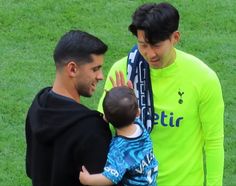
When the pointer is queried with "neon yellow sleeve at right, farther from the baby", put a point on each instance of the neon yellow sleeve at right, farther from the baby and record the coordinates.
(211, 110)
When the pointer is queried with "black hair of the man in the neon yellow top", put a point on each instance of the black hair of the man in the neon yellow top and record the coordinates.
(158, 21)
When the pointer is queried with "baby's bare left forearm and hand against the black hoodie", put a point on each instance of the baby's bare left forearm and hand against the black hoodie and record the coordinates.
(93, 179)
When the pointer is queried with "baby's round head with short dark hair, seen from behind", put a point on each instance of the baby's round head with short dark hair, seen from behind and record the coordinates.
(120, 106)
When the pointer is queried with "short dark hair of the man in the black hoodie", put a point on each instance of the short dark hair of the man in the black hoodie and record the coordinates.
(78, 46)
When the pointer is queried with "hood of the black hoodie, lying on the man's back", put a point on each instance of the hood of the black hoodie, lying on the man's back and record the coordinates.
(51, 114)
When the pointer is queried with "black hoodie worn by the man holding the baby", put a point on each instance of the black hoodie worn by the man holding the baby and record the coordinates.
(61, 136)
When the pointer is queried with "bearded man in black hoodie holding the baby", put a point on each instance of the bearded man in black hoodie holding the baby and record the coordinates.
(62, 134)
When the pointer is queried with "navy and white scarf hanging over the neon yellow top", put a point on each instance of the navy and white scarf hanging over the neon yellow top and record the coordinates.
(138, 72)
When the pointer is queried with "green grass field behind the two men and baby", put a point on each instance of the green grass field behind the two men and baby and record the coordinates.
(30, 29)
